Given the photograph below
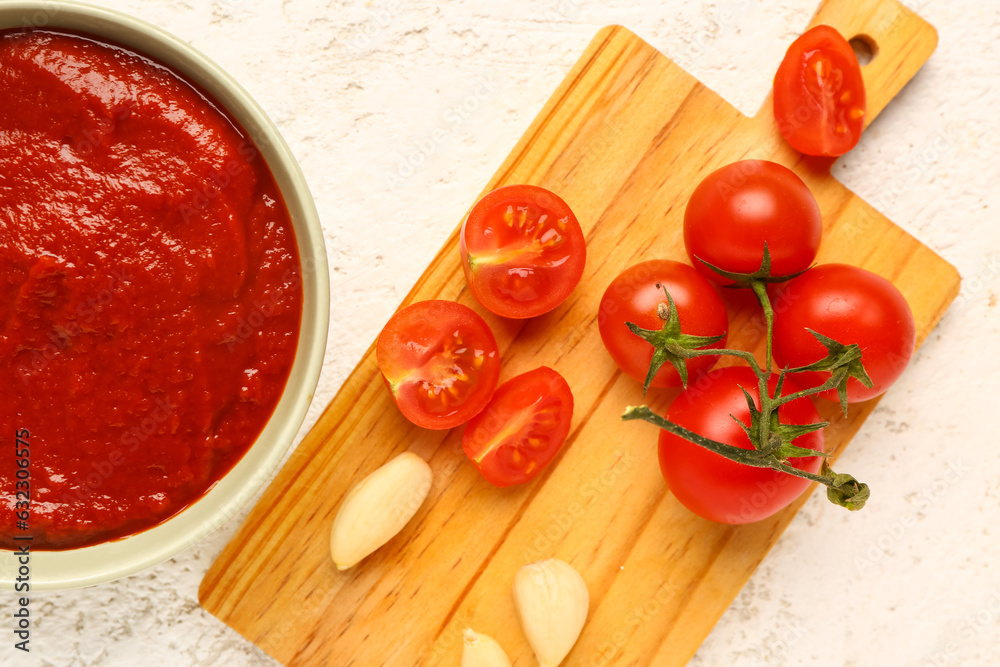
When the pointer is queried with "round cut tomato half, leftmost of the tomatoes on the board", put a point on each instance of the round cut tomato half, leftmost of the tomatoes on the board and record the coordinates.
(440, 361)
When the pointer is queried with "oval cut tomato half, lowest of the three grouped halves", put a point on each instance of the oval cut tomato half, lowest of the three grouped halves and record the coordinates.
(522, 429)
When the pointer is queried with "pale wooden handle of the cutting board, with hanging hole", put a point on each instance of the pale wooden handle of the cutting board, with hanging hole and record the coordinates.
(900, 41)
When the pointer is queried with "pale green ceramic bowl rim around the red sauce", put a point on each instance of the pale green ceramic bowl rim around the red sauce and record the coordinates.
(112, 560)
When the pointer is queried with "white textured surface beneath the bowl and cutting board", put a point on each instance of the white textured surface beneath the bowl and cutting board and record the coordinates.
(360, 88)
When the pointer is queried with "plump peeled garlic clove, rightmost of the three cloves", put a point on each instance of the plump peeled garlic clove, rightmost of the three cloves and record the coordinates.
(552, 602)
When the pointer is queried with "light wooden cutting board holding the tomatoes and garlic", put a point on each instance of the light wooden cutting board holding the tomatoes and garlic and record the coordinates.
(625, 139)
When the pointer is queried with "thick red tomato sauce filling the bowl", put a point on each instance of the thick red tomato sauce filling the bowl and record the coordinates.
(150, 291)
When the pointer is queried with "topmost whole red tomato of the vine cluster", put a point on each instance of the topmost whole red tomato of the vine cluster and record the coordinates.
(742, 206)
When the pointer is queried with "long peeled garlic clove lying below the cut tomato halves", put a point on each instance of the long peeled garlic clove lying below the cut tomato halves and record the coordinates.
(375, 510)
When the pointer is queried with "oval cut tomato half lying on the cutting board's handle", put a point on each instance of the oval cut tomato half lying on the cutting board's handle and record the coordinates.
(819, 94)
